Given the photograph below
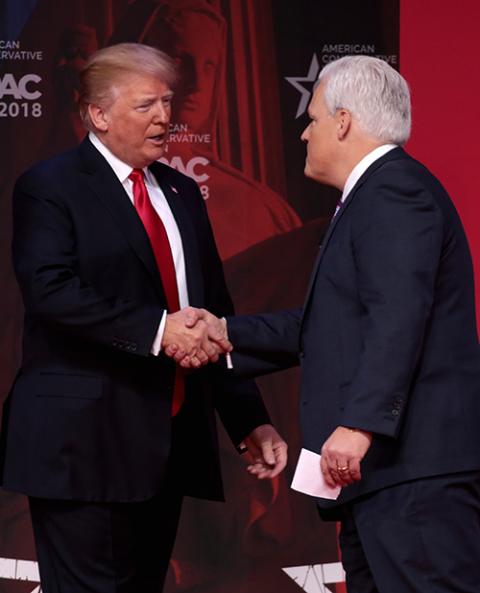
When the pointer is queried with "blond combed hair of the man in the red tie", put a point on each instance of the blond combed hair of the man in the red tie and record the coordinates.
(107, 67)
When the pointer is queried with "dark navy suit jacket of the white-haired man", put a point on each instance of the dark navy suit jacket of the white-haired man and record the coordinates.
(387, 336)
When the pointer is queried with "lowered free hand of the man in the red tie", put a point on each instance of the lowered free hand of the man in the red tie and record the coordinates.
(267, 452)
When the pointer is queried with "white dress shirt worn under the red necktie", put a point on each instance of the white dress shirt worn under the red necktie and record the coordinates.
(159, 202)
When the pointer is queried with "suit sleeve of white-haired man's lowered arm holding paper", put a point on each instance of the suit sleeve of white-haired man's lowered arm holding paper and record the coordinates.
(397, 242)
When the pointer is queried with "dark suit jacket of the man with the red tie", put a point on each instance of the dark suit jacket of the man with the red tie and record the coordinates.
(88, 417)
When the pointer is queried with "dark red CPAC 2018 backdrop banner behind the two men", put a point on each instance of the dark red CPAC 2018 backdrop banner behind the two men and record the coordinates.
(248, 68)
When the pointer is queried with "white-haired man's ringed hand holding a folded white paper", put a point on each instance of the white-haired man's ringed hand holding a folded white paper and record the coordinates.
(342, 453)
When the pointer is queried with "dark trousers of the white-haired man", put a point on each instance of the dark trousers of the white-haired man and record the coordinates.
(419, 537)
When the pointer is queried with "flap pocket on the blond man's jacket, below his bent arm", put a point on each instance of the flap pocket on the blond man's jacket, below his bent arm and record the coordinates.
(73, 386)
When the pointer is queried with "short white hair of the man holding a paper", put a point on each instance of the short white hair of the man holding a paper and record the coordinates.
(376, 95)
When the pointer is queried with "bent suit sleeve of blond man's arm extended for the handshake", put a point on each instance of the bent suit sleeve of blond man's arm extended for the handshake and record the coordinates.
(46, 265)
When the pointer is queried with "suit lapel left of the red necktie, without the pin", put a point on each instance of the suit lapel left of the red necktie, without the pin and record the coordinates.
(108, 189)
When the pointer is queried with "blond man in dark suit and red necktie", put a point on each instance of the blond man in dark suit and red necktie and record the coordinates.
(102, 431)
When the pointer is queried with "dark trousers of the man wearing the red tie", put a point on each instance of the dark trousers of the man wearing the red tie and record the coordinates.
(109, 547)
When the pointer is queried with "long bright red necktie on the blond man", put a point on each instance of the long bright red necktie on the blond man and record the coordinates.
(163, 255)
